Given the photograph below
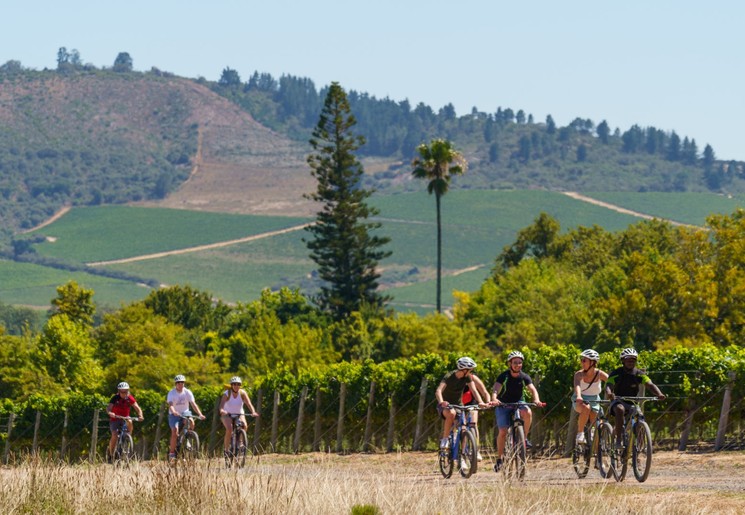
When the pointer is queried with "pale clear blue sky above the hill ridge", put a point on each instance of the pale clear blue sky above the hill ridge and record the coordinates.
(676, 65)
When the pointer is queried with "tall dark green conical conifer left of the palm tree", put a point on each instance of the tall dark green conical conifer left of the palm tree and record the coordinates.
(344, 245)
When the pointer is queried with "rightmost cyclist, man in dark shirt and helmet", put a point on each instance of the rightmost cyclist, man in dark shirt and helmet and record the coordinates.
(624, 382)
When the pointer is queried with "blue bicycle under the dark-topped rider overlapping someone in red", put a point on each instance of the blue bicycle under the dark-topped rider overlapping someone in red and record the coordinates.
(462, 444)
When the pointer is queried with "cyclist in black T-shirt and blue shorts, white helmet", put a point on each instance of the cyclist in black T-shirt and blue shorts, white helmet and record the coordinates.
(508, 388)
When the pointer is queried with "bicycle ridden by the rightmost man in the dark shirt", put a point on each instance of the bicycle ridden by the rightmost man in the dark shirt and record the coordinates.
(637, 437)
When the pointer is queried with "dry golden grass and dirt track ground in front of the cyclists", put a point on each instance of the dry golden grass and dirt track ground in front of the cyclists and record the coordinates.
(680, 483)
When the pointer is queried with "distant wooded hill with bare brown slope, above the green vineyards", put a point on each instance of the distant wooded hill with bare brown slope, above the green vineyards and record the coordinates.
(91, 137)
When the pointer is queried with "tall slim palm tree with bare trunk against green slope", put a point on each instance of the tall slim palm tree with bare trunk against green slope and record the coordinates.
(438, 162)
